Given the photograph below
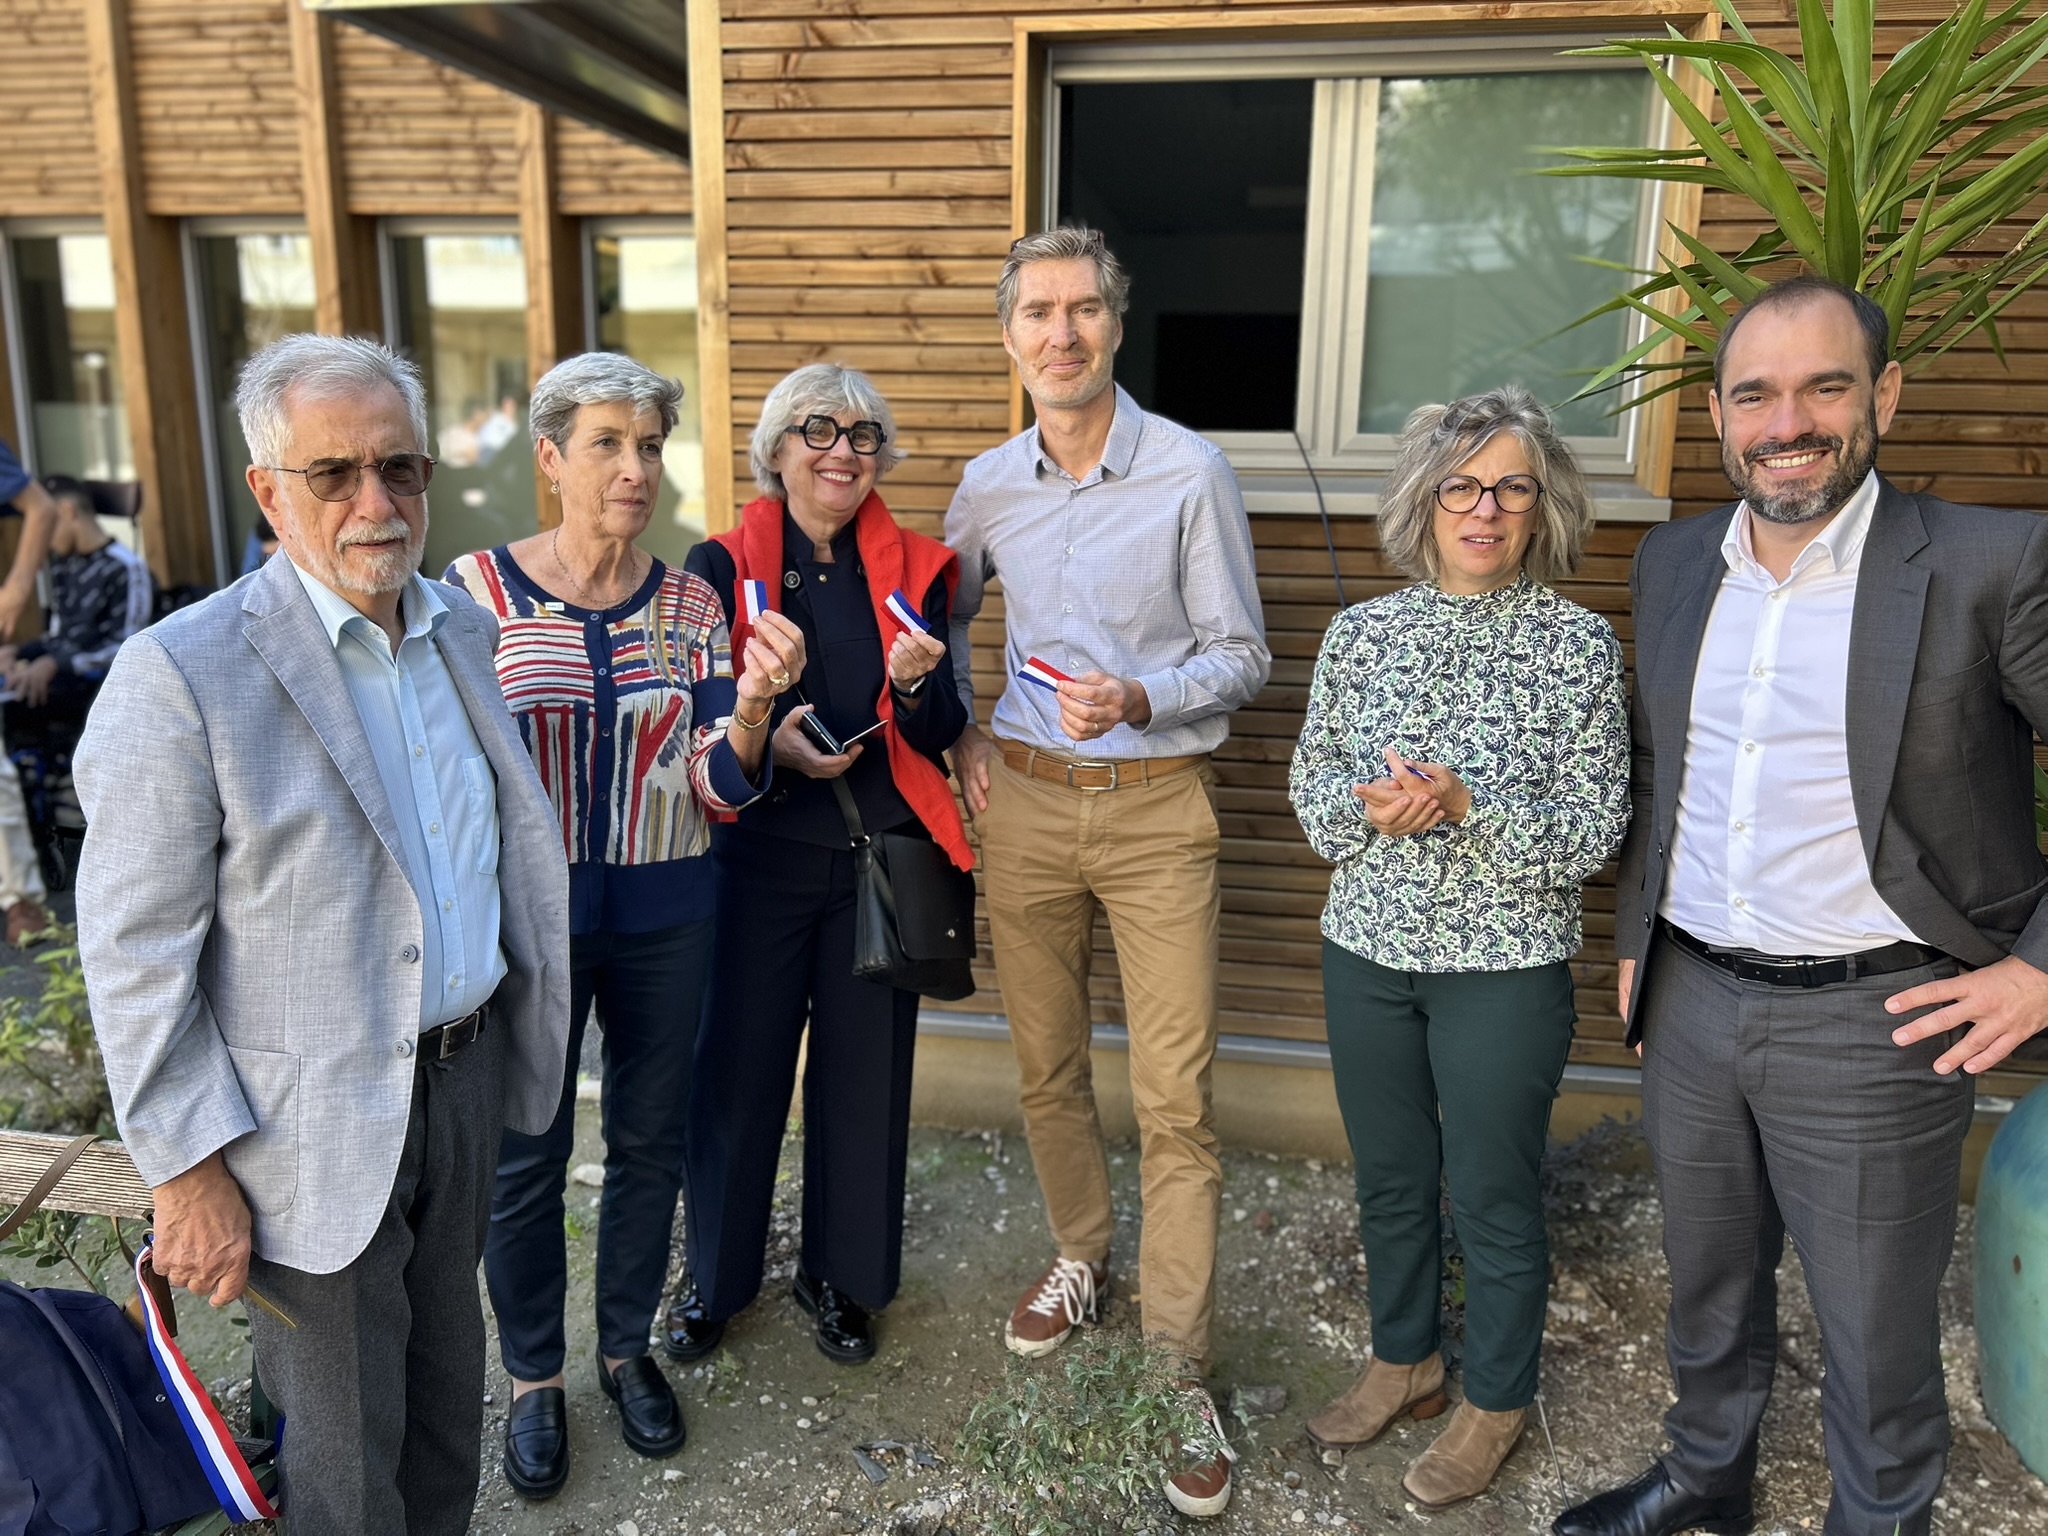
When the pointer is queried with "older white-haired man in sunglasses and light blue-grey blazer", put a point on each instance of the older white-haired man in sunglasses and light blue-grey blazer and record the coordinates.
(325, 927)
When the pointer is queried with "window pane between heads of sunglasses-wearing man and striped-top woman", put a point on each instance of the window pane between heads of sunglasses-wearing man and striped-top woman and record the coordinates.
(462, 316)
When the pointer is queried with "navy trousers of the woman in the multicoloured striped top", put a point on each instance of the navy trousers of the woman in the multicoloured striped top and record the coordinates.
(650, 992)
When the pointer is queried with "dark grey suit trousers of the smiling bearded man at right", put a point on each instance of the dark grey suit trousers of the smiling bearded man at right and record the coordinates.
(1779, 1111)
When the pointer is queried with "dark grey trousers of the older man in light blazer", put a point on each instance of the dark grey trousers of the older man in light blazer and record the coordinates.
(382, 1383)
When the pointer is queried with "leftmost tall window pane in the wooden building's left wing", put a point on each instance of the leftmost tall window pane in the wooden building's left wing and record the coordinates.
(73, 359)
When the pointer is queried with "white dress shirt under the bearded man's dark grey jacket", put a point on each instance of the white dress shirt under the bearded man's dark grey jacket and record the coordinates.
(1766, 851)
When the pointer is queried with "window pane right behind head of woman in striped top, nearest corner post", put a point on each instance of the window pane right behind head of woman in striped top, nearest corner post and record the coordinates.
(646, 308)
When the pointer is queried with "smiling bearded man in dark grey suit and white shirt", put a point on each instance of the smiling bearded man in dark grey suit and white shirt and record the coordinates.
(1832, 910)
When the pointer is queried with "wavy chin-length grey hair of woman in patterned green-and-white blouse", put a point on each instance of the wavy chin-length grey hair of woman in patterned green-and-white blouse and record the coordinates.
(1439, 439)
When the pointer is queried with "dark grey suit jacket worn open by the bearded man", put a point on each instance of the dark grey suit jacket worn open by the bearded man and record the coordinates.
(1949, 681)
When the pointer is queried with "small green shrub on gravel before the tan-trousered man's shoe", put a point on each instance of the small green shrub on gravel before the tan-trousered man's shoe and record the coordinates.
(1080, 1445)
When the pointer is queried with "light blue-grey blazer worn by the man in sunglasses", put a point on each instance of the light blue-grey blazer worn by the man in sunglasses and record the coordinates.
(249, 933)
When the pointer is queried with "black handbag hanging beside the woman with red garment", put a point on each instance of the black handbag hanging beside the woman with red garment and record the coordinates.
(914, 912)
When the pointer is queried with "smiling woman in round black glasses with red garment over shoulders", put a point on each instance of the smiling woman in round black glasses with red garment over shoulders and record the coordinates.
(824, 554)
